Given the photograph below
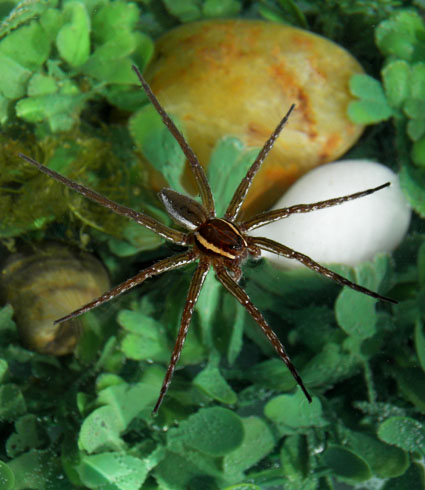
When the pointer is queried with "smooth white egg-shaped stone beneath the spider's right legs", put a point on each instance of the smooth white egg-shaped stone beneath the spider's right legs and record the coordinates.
(350, 233)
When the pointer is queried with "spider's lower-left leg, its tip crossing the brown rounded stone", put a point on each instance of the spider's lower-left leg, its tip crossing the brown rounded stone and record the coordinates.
(164, 265)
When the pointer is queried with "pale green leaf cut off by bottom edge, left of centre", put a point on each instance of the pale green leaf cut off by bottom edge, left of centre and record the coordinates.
(112, 471)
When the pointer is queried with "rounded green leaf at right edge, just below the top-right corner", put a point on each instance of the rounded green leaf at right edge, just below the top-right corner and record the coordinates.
(401, 36)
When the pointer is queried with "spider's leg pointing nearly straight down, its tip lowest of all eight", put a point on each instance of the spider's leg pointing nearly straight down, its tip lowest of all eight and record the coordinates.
(193, 294)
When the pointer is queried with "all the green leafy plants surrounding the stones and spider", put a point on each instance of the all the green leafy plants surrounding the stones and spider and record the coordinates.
(233, 418)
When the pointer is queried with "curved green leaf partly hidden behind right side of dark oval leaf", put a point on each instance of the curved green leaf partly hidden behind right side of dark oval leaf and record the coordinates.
(257, 443)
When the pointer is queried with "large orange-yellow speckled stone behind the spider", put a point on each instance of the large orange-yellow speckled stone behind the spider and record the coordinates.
(239, 77)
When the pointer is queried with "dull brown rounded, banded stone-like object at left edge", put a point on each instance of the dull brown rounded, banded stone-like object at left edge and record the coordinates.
(45, 285)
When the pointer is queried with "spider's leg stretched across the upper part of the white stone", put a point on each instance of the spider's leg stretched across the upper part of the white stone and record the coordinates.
(277, 214)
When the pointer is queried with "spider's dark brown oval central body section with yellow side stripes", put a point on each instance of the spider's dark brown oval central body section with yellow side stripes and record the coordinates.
(220, 237)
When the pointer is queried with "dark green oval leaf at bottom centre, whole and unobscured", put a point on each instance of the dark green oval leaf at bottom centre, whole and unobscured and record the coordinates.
(213, 431)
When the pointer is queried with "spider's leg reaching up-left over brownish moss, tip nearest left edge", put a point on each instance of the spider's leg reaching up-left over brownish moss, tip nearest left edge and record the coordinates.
(150, 223)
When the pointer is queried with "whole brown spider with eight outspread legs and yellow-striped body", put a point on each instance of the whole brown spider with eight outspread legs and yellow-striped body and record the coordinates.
(220, 243)
